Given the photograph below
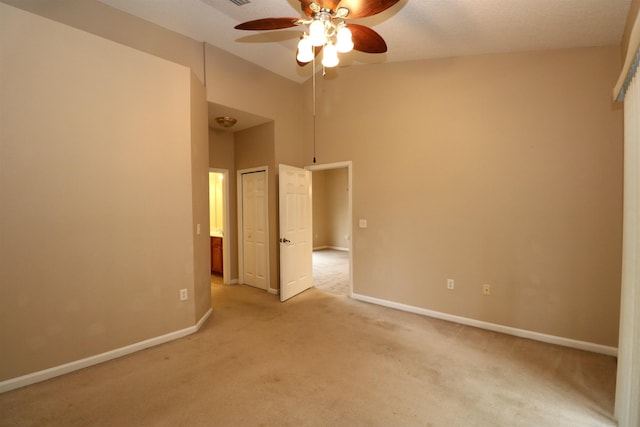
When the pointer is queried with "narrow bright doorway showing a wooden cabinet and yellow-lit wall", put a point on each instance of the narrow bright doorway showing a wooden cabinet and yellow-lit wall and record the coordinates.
(219, 223)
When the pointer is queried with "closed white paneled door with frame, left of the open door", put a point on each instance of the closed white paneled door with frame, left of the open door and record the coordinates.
(253, 227)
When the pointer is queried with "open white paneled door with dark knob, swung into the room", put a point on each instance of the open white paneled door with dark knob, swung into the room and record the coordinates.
(296, 243)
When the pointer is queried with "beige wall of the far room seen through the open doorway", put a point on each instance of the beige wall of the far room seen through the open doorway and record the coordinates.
(330, 208)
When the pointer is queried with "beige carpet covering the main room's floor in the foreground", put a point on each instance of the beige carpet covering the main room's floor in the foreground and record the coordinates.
(325, 360)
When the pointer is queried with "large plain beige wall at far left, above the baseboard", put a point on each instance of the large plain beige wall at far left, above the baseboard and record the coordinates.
(96, 225)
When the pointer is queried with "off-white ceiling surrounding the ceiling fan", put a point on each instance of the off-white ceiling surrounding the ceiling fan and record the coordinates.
(413, 29)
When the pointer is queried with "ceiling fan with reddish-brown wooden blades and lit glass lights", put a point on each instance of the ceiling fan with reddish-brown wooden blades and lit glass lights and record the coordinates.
(328, 28)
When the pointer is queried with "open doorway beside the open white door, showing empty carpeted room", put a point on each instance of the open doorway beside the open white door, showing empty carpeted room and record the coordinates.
(332, 228)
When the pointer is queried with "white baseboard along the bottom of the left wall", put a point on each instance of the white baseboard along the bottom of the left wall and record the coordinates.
(56, 371)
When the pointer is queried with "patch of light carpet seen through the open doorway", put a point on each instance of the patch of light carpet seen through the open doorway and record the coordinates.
(331, 271)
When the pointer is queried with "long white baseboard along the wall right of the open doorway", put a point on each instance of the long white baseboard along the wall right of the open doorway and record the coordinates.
(522, 333)
